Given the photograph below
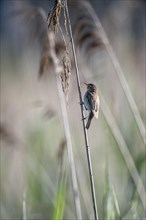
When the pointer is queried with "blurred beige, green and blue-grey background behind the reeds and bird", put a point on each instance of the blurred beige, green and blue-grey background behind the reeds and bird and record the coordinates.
(35, 174)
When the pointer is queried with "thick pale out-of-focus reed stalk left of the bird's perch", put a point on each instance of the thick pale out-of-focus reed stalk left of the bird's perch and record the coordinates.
(58, 69)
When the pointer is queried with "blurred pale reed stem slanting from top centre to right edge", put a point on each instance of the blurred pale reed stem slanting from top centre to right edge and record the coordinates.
(134, 109)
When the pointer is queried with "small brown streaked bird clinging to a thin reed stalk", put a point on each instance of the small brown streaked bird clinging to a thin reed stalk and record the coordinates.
(91, 102)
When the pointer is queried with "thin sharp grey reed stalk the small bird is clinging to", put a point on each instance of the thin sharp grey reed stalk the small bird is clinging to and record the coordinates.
(83, 116)
